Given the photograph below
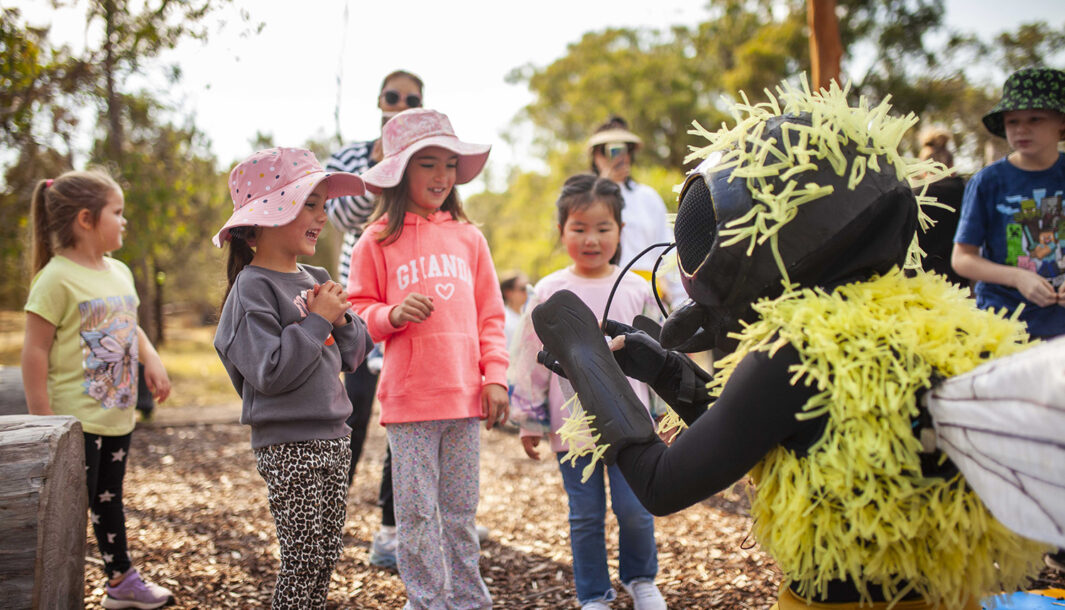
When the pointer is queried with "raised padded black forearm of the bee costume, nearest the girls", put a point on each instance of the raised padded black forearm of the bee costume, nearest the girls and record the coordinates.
(572, 336)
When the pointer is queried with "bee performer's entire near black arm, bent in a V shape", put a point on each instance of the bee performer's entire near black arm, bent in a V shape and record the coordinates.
(756, 413)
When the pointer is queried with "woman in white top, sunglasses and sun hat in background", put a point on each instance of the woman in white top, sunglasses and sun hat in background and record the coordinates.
(613, 151)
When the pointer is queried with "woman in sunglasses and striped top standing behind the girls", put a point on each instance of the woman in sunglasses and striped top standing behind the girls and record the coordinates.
(400, 91)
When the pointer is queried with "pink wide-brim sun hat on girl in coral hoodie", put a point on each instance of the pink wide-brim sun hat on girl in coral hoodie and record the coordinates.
(417, 129)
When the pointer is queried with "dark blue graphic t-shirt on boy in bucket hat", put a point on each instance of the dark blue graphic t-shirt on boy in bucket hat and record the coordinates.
(1018, 220)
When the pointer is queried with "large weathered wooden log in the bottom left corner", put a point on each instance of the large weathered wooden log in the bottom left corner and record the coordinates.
(43, 513)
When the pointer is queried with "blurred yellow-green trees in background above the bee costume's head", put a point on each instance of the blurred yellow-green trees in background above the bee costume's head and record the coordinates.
(662, 80)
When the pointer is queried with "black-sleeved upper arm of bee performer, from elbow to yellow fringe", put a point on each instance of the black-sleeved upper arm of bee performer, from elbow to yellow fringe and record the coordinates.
(756, 413)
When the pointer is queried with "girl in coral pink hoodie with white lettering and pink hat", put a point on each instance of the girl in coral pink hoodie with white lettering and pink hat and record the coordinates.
(427, 287)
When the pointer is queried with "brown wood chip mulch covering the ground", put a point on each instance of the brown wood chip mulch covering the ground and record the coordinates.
(200, 524)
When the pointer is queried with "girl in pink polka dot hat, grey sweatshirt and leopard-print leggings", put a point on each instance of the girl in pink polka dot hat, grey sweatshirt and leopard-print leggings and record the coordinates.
(285, 336)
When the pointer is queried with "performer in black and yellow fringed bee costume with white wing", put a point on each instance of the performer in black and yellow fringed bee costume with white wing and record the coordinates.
(792, 238)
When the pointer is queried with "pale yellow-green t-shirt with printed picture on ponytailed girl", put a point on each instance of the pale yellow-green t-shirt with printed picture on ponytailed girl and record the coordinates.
(93, 365)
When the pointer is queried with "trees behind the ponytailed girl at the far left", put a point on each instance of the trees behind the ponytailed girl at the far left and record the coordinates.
(174, 193)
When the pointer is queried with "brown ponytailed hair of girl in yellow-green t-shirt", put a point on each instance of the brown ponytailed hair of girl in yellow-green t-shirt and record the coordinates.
(56, 206)
